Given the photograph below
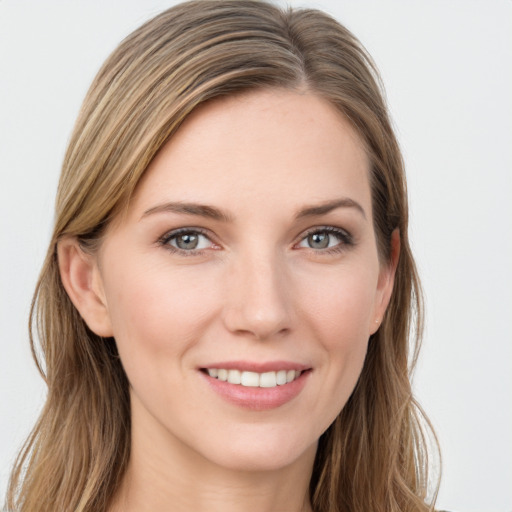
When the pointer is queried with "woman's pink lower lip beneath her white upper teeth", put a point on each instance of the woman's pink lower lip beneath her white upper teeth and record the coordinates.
(258, 399)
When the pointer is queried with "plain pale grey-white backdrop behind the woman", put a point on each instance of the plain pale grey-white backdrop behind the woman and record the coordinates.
(447, 67)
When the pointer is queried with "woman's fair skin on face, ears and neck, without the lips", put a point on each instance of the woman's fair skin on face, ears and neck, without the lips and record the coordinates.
(255, 290)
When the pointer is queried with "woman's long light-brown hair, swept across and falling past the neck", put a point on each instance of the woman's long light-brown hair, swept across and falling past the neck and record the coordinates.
(374, 456)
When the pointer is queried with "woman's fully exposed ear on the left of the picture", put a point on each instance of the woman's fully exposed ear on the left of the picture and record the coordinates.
(82, 281)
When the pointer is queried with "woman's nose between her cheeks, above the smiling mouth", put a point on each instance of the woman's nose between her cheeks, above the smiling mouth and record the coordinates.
(258, 302)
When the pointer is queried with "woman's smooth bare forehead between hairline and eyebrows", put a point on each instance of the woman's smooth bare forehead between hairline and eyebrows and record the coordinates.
(280, 148)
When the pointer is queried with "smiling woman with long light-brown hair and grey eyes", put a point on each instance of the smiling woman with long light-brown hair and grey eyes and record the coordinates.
(226, 303)
